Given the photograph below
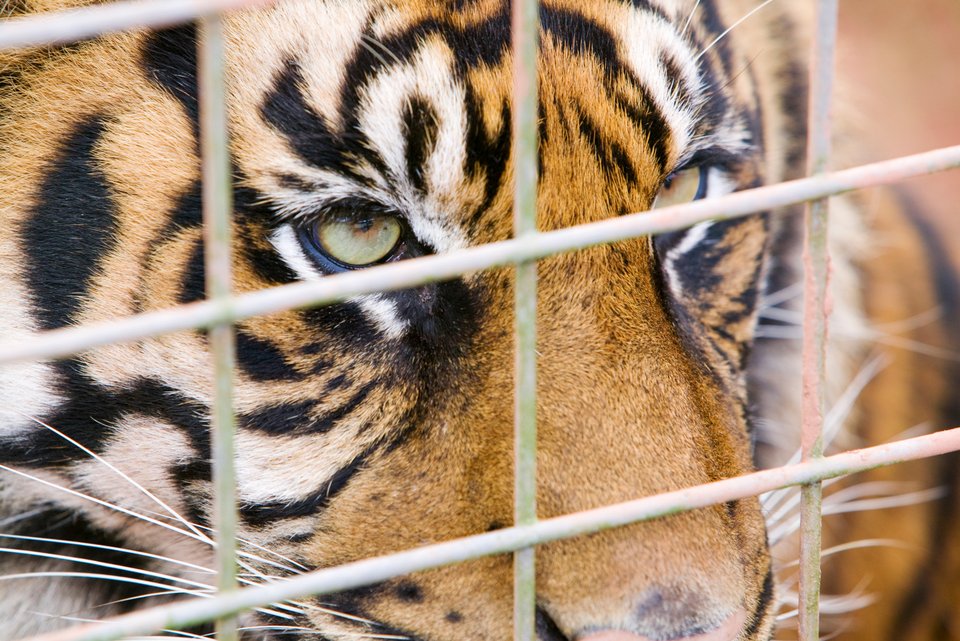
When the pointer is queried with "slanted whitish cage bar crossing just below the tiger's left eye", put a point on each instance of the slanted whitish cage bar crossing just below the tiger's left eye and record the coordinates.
(428, 269)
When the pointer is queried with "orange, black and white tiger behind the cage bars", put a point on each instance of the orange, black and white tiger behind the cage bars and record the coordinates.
(369, 132)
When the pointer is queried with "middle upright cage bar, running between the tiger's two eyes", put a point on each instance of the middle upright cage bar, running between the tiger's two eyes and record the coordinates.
(525, 25)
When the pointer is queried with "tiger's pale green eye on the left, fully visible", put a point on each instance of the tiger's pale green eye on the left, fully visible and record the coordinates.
(357, 243)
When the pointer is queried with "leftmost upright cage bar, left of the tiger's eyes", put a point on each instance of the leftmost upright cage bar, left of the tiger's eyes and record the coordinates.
(217, 205)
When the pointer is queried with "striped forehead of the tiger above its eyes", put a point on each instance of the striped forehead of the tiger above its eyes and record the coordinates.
(409, 105)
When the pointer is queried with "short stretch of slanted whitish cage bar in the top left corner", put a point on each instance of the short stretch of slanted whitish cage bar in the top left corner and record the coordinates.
(62, 27)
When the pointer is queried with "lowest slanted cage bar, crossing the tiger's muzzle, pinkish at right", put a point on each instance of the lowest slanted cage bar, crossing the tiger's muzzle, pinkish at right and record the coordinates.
(374, 570)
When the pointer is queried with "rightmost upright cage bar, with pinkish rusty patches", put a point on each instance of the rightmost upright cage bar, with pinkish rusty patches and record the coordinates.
(815, 315)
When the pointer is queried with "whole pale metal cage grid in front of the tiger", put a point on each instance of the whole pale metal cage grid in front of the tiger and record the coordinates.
(222, 310)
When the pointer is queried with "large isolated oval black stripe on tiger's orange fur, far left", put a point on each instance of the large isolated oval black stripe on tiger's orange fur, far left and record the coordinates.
(72, 227)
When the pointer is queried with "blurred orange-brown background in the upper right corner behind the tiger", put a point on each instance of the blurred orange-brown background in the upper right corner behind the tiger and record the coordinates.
(899, 66)
